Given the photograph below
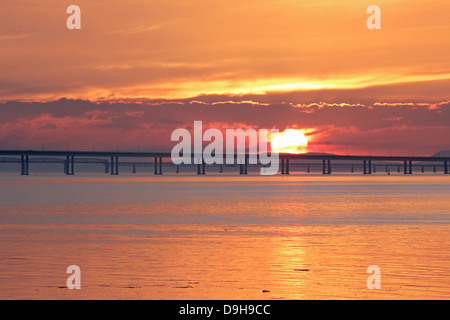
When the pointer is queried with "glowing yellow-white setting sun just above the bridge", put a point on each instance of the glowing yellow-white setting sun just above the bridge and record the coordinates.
(289, 141)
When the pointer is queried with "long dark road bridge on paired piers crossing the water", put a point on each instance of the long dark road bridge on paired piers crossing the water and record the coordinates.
(287, 161)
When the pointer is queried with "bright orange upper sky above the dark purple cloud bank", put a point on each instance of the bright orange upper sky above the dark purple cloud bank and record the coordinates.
(181, 48)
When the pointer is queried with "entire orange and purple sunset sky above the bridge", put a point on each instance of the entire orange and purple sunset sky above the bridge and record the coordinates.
(137, 70)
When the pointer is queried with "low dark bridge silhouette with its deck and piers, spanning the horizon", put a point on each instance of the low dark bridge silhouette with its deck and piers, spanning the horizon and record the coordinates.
(285, 159)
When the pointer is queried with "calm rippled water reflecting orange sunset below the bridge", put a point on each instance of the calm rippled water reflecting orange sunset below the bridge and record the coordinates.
(225, 237)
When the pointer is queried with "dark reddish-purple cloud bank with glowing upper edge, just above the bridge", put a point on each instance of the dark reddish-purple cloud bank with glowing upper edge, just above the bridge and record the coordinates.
(330, 127)
